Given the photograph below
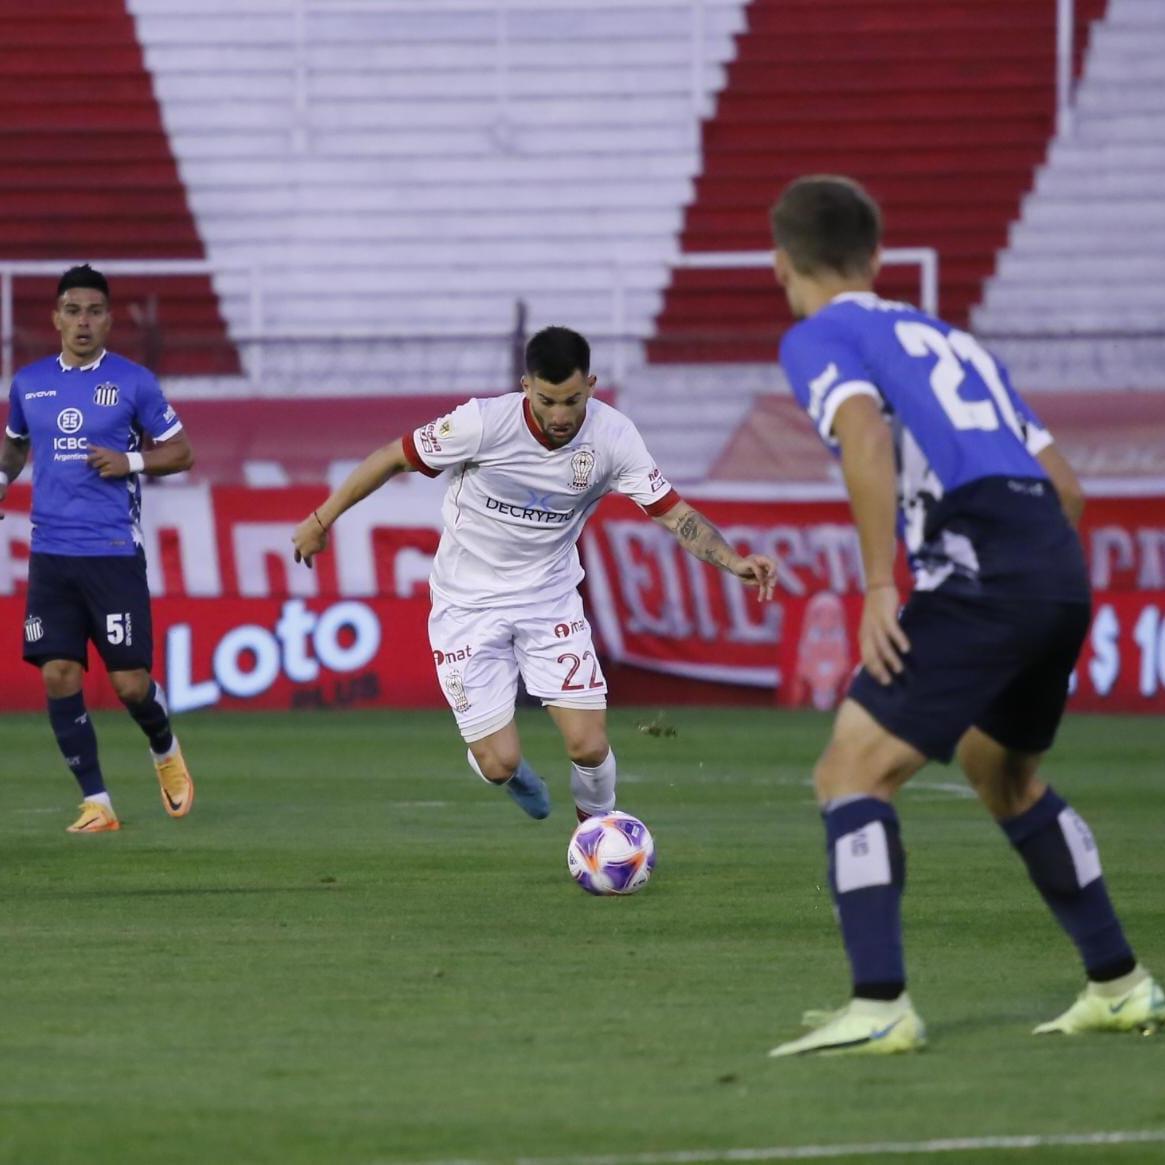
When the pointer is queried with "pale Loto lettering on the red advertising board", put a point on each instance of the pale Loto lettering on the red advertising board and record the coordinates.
(249, 660)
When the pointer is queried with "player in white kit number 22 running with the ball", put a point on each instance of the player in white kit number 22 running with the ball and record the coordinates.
(526, 472)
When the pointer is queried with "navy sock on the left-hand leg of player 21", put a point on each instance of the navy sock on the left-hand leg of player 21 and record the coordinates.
(867, 875)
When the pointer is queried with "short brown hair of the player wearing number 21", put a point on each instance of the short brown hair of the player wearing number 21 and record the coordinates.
(827, 222)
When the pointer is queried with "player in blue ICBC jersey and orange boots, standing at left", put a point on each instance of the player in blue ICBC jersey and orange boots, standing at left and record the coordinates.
(86, 413)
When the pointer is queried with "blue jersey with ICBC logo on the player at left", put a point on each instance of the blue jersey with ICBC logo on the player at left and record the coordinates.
(63, 412)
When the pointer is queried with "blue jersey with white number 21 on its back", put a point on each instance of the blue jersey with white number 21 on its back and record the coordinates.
(977, 510)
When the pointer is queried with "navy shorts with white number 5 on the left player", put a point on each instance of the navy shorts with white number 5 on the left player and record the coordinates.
(74, 601)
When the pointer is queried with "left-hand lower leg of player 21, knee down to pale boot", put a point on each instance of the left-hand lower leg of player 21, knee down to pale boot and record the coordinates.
(860, 771)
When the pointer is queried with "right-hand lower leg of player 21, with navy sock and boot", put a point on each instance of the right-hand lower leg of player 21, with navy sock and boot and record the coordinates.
(1064, 863)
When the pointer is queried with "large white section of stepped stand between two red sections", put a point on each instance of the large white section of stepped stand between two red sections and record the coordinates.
(414, 170)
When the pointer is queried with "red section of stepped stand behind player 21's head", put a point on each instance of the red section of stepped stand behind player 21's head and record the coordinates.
(943, 110)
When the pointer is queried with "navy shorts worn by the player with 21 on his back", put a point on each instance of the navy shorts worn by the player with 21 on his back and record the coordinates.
(995, 665)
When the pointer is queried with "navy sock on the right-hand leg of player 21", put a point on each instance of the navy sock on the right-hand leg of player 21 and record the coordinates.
(1064, 863)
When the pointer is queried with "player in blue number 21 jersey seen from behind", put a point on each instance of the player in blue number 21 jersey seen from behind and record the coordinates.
(937, 448)
